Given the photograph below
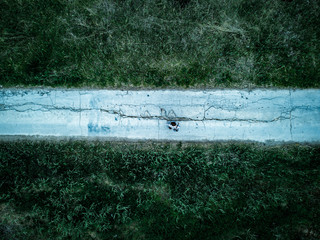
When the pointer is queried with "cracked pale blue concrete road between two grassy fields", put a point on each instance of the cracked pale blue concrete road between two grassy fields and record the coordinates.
(257, 115)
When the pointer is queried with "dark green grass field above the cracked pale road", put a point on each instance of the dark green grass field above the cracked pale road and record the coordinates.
(160, 43)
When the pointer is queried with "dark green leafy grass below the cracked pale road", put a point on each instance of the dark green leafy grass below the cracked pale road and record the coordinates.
(100, 190)
